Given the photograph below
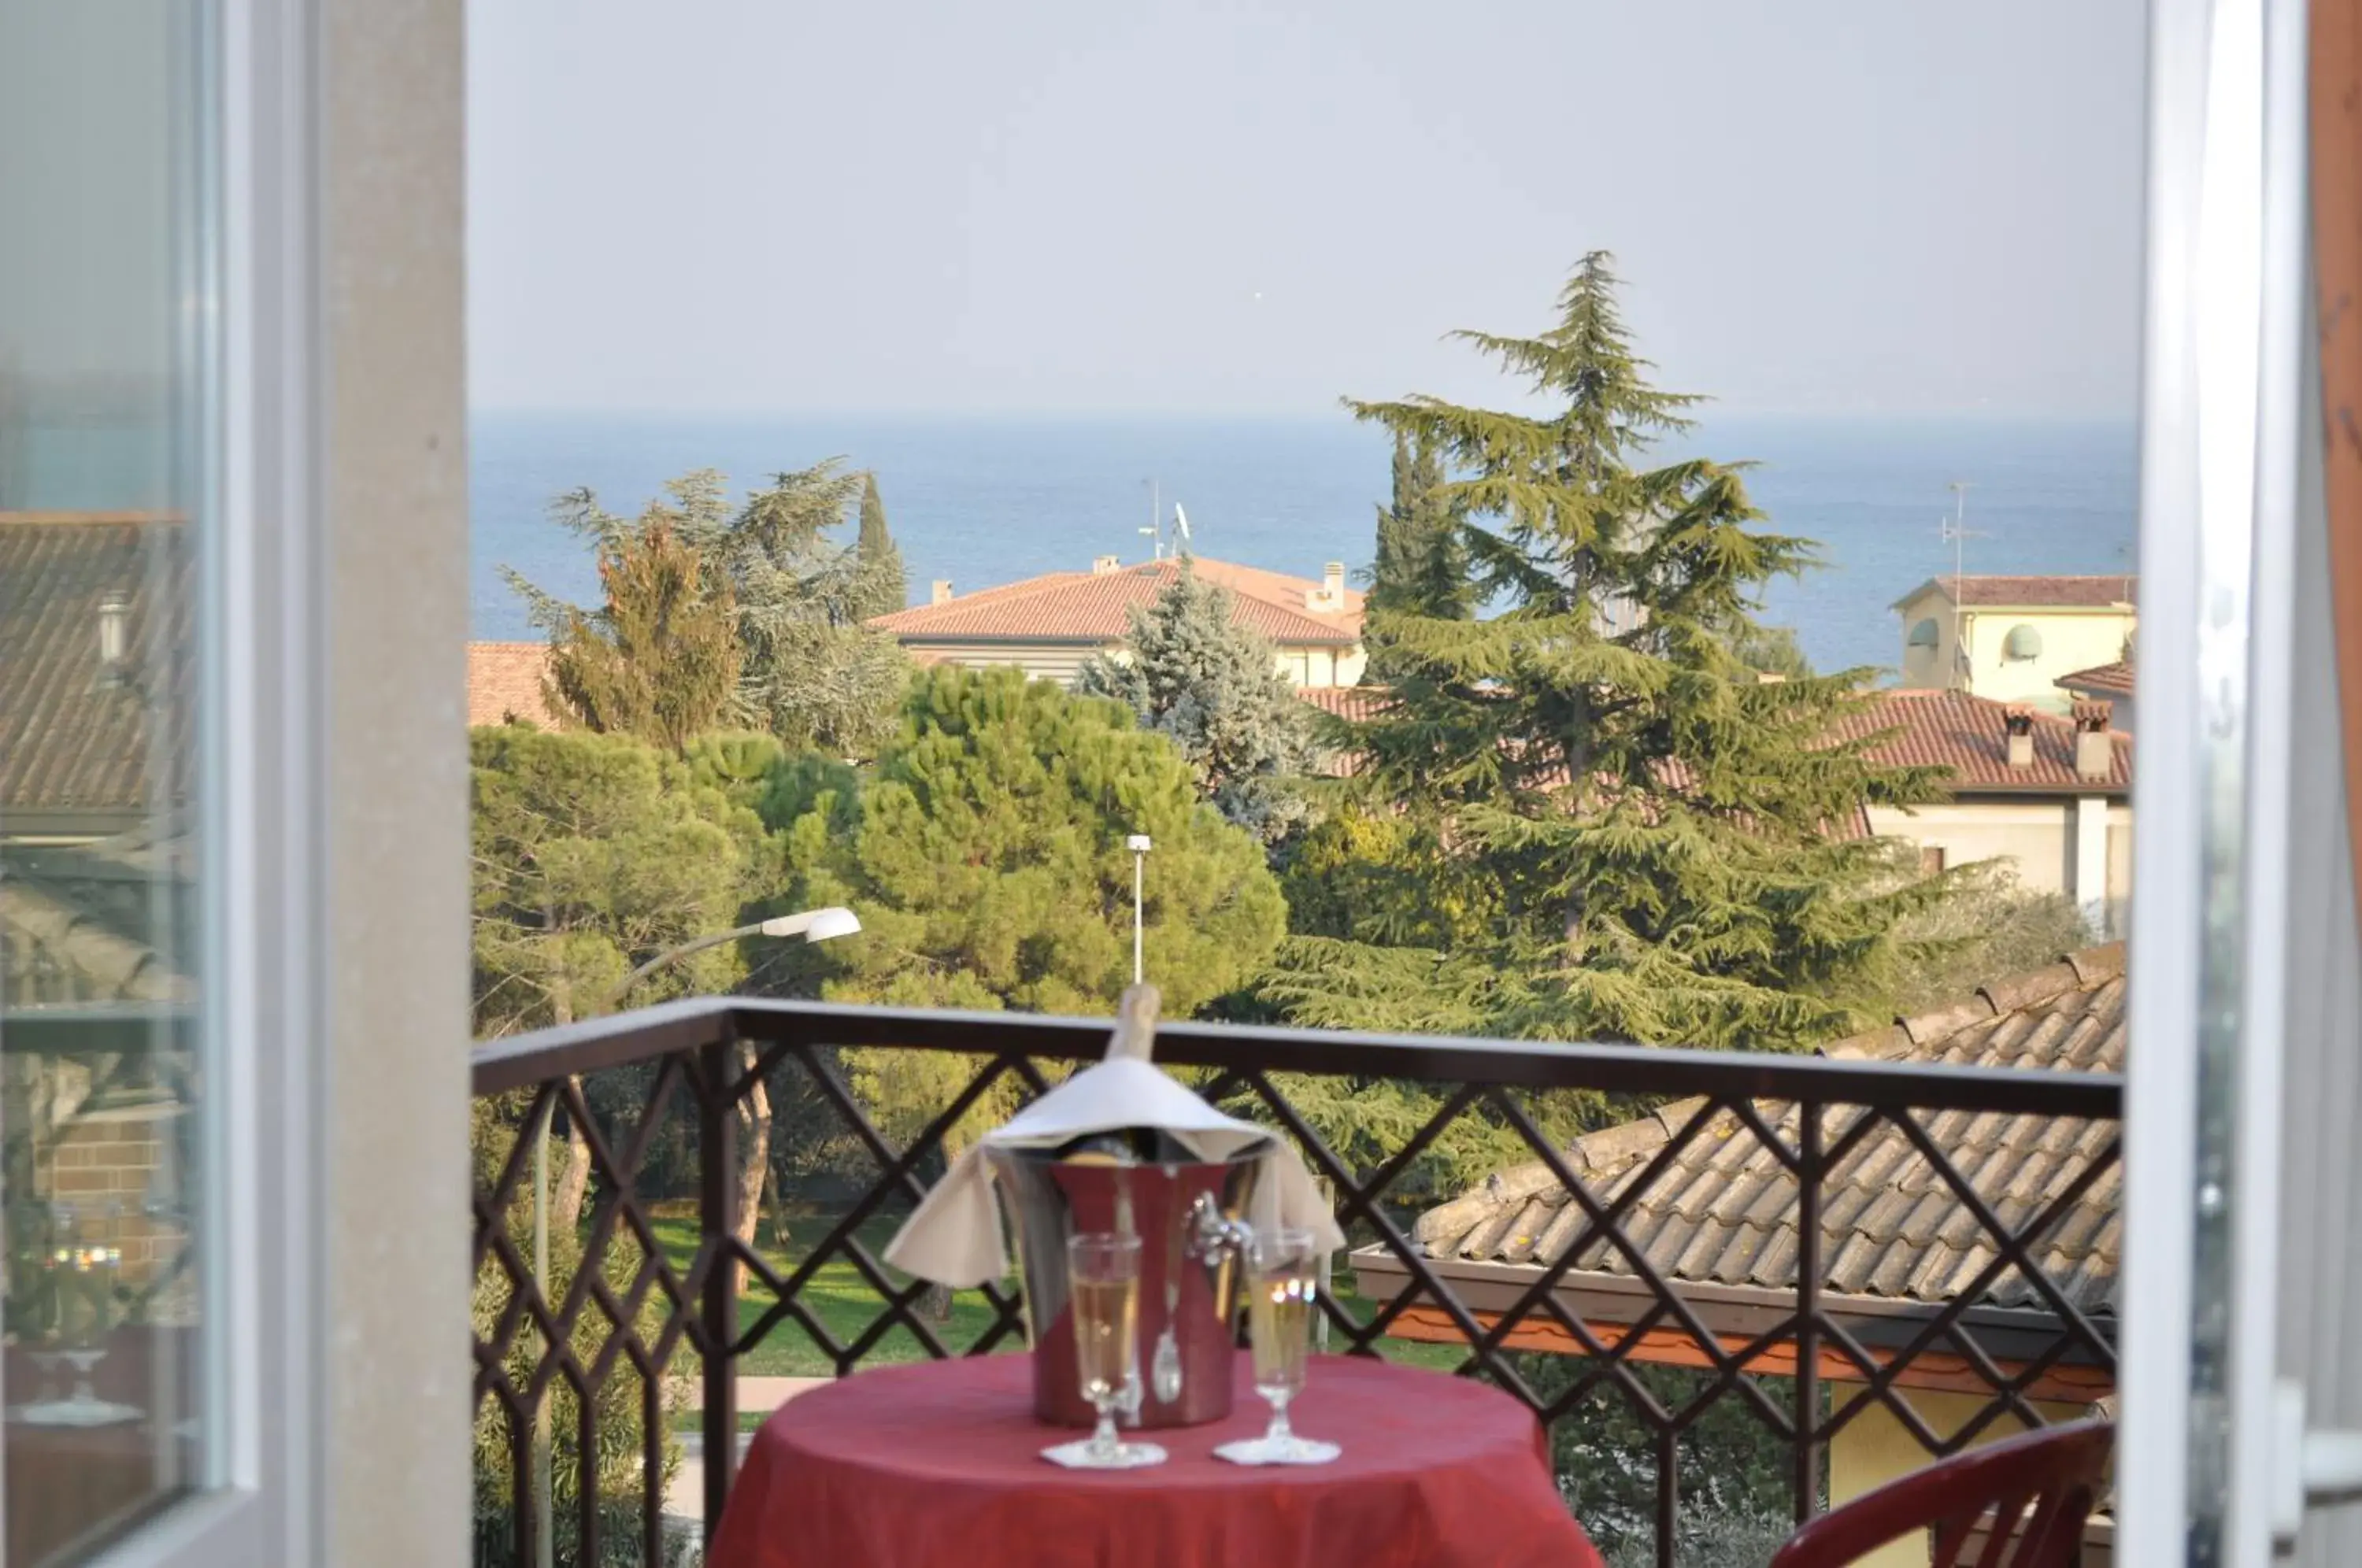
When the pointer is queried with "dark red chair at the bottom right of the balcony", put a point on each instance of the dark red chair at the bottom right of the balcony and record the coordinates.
(2058, 1470)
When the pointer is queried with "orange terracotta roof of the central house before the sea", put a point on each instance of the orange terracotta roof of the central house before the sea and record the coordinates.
(1092, 608)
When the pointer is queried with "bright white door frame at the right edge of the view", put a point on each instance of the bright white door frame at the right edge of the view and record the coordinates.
(2226, 306)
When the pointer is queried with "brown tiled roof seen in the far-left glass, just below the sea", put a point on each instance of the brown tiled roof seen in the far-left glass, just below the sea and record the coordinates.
(70, 738)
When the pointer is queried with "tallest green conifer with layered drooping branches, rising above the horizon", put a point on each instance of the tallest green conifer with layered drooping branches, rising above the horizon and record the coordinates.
(1650, 837)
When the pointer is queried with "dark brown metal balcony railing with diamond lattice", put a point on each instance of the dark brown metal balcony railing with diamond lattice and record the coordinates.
(620, 1333)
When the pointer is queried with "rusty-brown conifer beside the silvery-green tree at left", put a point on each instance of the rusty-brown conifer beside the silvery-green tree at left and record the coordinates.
(660, 660)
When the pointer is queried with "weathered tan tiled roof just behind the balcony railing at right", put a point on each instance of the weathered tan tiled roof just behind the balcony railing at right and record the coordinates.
(1891, 1224)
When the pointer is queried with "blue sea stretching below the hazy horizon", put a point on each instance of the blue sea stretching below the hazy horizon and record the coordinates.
(993, 499)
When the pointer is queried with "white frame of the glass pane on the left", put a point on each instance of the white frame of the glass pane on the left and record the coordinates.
(261, 721)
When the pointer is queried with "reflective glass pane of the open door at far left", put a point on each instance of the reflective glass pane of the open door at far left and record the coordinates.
(105, 176)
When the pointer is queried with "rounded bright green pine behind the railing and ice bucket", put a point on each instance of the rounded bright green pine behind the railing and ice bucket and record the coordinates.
(986, 858)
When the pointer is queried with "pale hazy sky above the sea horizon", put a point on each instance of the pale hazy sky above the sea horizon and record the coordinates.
(1262, 204)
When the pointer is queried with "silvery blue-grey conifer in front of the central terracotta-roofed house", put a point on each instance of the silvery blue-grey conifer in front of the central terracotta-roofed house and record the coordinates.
(1194, 674)
